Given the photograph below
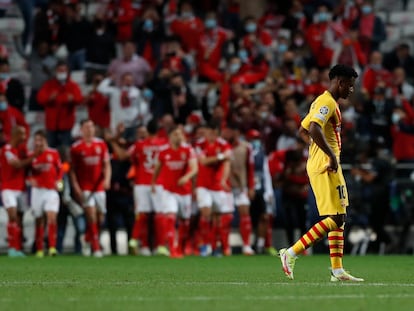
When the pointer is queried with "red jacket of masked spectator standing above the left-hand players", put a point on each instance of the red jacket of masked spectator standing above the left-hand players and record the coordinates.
(59, 112)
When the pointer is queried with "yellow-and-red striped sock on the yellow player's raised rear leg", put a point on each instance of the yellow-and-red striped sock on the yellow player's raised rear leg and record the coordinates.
(317, 232)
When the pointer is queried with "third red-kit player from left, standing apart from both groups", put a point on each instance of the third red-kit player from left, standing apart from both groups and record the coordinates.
(91, 176)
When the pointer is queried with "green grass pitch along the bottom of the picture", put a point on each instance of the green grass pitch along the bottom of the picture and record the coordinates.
(233, 283)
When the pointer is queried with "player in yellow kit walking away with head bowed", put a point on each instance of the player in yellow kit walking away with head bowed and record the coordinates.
(322, 126)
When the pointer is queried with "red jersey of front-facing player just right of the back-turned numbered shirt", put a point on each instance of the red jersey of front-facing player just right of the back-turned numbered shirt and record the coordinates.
(175, 164)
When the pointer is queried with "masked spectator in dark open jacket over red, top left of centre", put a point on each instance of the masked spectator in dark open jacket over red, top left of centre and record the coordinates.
(149, 35)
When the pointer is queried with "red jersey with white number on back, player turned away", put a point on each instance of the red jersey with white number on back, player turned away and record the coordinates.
(143, 155)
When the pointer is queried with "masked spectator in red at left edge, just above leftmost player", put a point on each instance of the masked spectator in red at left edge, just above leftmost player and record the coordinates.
(9, 118)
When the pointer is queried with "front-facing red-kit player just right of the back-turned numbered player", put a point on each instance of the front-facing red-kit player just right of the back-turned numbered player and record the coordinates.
(175, 167)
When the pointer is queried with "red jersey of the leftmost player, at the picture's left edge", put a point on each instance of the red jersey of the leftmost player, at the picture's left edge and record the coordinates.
(12, 178)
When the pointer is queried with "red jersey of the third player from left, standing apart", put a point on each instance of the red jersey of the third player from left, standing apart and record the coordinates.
(88, 161)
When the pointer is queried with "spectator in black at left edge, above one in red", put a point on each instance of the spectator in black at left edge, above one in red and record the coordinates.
(12, 86)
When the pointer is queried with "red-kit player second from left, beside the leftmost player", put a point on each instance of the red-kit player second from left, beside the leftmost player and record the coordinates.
(46, 173)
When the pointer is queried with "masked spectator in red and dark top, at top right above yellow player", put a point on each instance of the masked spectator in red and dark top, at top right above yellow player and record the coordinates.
(371, 29)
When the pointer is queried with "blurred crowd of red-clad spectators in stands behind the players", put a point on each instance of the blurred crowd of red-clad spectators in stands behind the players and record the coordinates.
(249, 64)
